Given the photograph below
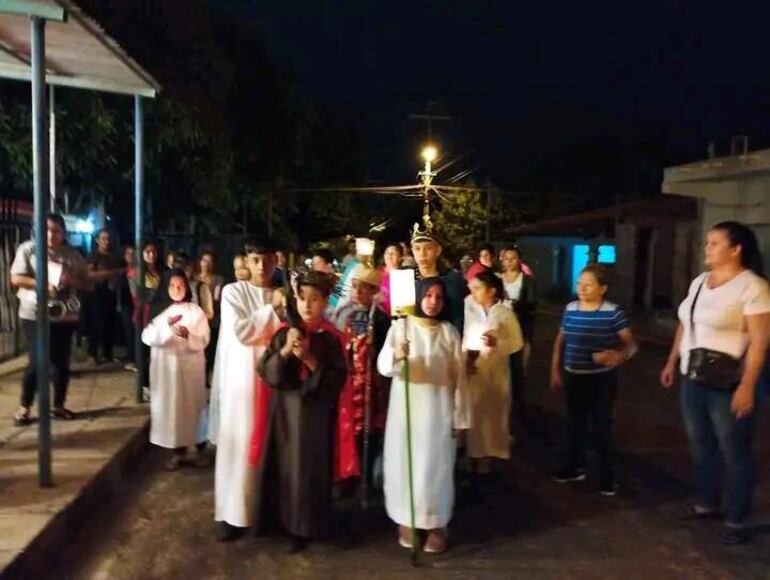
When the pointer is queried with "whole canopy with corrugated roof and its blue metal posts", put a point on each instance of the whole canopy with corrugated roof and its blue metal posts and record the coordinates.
(78, 53)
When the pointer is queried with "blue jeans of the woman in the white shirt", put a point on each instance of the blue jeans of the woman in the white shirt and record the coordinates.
(717, 438)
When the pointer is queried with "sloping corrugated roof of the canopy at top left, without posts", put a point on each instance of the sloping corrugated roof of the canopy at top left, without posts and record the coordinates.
(79, 53)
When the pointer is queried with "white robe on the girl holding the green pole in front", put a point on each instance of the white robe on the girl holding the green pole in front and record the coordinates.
(438, 401)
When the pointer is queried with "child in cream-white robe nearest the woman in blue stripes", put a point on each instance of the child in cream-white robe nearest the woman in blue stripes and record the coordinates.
(491, 335)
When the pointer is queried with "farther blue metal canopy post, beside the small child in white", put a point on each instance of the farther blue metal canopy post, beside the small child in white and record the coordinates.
(138, 207)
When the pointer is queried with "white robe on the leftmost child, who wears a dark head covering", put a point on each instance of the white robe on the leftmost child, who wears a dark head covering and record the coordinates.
(177, 375)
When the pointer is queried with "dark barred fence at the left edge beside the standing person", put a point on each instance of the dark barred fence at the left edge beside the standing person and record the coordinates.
(15, 227)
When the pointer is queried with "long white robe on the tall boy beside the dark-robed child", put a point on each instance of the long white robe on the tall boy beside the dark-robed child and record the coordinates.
(248, 321)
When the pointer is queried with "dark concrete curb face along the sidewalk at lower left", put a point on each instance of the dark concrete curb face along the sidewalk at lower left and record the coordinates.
(34, 561)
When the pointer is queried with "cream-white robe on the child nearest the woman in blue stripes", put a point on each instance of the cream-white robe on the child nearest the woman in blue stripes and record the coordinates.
(490, 385)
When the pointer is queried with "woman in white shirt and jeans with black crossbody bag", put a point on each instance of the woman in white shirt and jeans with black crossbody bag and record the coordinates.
(729, 307)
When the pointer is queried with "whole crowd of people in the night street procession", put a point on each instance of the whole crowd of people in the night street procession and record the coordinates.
(309, 386)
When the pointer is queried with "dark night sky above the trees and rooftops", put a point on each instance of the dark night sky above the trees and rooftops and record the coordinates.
(530, 80)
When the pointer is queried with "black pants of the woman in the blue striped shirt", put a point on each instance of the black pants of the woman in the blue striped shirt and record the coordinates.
(591, 397)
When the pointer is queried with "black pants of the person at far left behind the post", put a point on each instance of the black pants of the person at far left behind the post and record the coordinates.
(60, 346)
